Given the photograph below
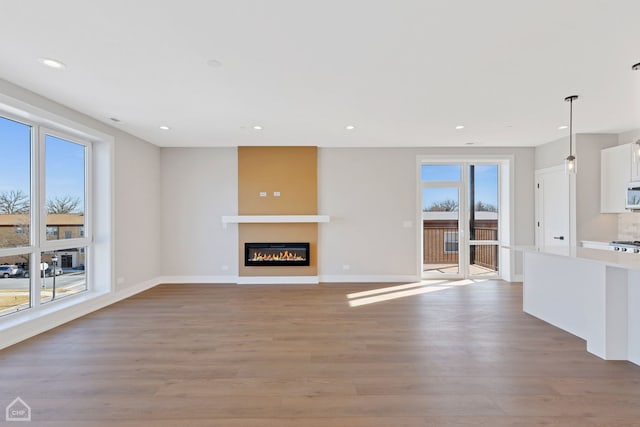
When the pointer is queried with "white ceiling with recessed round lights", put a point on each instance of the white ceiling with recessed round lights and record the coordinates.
(404, 72)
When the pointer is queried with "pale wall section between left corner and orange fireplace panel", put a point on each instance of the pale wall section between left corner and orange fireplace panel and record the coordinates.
(199, 186)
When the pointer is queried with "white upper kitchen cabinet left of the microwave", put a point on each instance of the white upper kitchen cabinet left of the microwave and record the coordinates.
(615, 174)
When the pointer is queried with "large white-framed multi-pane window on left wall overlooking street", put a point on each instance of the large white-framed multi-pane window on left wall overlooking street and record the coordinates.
(35, 203)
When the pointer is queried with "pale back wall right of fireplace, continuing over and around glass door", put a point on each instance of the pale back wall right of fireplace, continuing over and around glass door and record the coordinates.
(370, 193)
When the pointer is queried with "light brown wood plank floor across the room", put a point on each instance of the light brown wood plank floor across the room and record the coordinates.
(302, 356)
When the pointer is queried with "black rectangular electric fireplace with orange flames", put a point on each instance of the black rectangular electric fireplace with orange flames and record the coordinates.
(272, 254)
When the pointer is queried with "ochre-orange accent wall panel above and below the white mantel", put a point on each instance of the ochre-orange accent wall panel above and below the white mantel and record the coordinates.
(292, 171)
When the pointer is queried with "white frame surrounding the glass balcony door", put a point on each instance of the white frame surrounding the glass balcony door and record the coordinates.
(506, 183)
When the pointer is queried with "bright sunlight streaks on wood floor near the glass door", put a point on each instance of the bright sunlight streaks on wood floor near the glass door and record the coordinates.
(401, 291)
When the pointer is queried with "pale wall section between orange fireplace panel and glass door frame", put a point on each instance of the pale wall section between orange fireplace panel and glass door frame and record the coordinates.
(369, 194)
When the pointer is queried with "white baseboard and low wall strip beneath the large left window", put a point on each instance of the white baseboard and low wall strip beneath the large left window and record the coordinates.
(31, 323)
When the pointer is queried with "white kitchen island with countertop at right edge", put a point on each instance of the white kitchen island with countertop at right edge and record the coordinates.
(594, 295)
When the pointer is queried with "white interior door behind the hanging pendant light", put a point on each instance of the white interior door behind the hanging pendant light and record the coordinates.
(553, 211)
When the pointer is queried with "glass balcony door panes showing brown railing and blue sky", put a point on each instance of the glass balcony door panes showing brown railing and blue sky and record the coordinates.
(460, 227)
